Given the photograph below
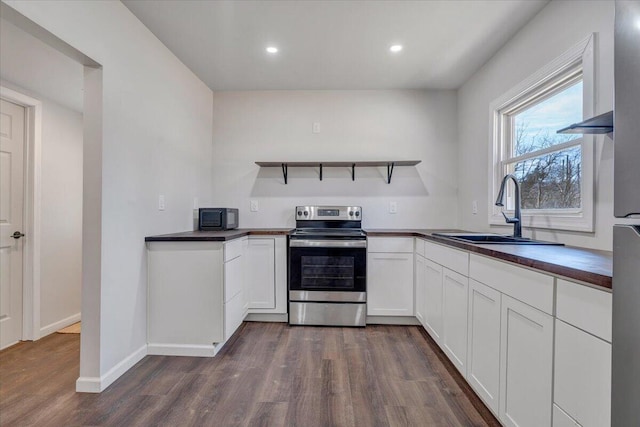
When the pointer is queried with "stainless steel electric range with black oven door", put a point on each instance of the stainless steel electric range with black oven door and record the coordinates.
(328, 267)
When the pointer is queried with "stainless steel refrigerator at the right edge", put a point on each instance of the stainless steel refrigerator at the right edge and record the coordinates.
(625, 403)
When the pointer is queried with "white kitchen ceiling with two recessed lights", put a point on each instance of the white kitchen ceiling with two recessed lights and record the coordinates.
(334, 44)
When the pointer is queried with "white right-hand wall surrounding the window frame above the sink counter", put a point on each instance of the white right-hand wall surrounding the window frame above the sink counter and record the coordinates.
(558, 27)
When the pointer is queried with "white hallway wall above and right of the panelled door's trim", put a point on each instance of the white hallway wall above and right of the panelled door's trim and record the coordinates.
(25, 58)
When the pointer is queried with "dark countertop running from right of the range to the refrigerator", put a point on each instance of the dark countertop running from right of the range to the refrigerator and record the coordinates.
(587, 265)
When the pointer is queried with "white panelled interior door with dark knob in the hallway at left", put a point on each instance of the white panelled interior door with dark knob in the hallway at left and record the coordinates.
(12, 135)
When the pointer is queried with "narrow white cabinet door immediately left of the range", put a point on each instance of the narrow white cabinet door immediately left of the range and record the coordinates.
(261, 284)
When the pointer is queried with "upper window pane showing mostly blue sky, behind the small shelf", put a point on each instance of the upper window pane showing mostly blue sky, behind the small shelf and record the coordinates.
(535, 128)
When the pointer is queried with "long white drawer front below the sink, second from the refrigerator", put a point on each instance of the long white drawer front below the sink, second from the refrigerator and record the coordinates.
(530, 287)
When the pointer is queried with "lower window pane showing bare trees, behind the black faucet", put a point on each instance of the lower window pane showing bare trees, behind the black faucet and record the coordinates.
(551, 181)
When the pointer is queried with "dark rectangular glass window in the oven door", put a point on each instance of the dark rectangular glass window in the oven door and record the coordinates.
(336, 272)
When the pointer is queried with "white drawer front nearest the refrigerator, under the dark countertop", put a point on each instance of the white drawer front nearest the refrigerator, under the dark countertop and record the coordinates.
(584, 307)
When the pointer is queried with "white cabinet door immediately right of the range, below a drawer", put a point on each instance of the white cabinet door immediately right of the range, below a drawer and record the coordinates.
(390, 284)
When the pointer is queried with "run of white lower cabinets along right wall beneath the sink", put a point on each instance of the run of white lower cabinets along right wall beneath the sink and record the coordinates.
(535, 348)
